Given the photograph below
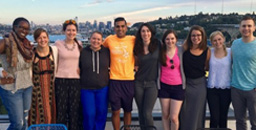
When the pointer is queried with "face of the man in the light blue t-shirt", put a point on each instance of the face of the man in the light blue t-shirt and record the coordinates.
(247, 27)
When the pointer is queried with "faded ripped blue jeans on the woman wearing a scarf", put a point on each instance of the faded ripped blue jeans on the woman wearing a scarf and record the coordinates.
(17, 104)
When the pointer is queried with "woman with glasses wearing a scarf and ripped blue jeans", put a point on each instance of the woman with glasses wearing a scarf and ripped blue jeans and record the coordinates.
(16, 56)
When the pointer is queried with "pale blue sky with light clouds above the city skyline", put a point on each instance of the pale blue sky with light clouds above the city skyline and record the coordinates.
(57, 11)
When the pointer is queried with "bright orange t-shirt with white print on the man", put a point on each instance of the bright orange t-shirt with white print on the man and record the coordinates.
(121, 56)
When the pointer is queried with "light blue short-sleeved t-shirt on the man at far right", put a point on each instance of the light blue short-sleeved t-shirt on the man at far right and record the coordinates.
(244, 65)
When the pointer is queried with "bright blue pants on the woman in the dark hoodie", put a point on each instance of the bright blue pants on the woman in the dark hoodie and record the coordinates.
(95, 108)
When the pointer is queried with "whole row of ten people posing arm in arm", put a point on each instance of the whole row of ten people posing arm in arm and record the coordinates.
(68, 84)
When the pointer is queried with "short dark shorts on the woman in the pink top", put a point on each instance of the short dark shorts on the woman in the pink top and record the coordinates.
(171, 91)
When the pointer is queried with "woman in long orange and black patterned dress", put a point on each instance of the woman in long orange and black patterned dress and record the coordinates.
(43, 109)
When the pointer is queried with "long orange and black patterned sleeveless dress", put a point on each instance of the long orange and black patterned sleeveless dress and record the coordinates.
(43, 107)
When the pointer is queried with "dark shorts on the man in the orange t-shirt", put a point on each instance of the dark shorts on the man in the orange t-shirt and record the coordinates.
(121, 93)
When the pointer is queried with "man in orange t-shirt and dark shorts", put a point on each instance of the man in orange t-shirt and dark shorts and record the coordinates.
(121, 85)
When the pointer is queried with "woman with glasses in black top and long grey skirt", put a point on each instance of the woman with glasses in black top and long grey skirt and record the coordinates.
(195, 62)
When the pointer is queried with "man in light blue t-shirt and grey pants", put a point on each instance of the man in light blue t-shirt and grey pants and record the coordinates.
(243, 92)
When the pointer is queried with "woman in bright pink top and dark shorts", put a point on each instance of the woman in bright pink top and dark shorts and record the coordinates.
(172, 79)
